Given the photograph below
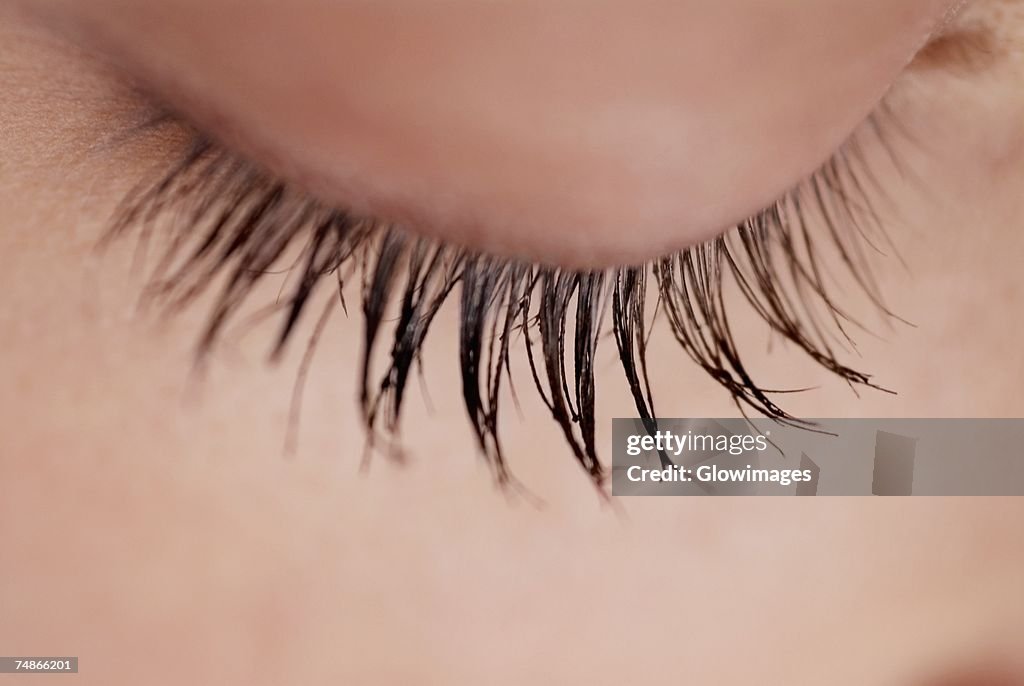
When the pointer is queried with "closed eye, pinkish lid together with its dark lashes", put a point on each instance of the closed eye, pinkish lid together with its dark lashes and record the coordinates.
(551, 250)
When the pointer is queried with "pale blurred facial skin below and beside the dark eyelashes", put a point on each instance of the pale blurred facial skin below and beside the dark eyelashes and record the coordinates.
(150, 525)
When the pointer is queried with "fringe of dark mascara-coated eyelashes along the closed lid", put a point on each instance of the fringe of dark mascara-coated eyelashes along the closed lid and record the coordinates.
(233, 225)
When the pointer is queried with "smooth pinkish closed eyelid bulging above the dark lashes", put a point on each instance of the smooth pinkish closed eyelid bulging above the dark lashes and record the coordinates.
(556, 132)
